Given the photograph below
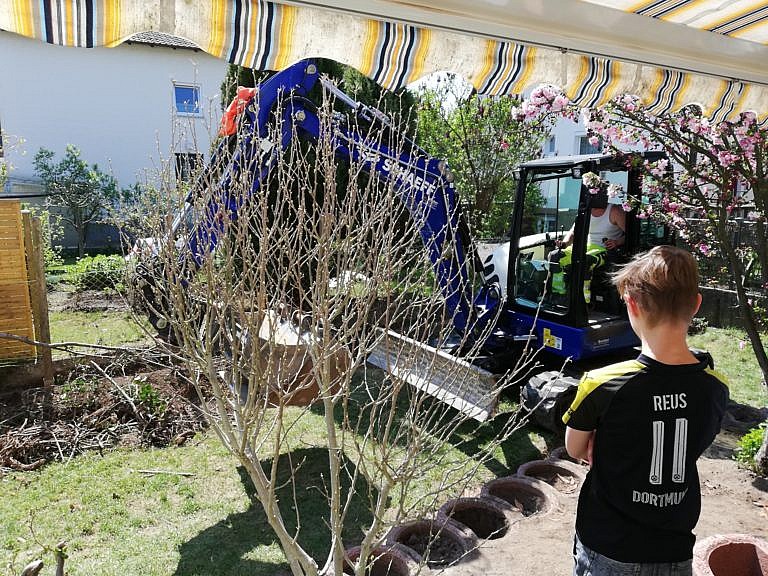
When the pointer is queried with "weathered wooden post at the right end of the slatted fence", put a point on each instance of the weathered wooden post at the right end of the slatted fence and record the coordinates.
(39, 293)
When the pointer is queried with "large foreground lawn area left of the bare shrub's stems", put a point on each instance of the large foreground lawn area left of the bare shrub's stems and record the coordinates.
(118, 521)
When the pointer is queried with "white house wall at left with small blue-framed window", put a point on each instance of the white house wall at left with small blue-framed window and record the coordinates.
(115, 104)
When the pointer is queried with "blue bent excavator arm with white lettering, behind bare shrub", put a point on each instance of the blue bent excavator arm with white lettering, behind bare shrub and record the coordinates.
(422, 183)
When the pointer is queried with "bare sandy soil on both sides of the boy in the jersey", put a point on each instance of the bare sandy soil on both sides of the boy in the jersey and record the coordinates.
(734, 501)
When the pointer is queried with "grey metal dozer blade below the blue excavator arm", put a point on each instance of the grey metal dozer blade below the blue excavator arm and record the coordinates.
(452, 380)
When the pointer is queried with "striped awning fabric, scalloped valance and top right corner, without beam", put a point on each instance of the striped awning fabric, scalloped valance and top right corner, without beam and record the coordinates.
(269, 35)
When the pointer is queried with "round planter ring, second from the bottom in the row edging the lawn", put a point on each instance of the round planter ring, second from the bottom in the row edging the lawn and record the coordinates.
(438, 544)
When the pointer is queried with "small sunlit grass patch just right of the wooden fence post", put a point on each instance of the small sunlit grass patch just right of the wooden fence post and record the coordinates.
(108, 328)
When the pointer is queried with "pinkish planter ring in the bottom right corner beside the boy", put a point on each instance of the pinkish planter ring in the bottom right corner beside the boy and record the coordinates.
(731, 555)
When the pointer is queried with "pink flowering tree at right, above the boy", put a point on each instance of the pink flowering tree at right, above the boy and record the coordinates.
(714, 171)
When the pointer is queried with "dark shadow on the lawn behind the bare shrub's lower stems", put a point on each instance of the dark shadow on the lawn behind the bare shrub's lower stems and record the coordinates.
(231, 547)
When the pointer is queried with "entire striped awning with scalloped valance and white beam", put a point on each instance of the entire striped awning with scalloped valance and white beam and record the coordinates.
(671, 53)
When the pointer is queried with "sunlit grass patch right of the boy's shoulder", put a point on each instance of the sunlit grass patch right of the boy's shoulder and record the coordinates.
(733, 356)
